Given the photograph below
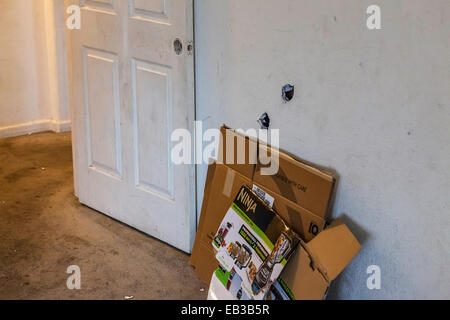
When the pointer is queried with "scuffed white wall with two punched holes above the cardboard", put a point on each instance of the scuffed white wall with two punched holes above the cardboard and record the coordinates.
(372, 105)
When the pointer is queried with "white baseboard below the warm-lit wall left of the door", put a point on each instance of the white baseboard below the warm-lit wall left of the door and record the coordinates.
(35, 127)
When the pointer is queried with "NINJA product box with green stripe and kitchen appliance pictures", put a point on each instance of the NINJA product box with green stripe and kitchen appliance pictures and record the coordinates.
(253, 245)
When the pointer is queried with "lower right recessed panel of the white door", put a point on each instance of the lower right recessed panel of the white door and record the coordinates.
(153, 117)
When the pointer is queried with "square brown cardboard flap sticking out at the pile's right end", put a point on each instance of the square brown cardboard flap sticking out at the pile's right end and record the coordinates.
(333, 249)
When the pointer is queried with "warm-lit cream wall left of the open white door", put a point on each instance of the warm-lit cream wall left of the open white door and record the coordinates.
(32, 66)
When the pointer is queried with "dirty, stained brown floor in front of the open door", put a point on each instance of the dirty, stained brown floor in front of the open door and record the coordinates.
(44, 230)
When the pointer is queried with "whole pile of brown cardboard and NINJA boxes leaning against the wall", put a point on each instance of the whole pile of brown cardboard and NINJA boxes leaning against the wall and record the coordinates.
(300, 195)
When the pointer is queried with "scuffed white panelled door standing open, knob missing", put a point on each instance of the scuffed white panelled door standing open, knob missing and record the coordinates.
(130, 90)
